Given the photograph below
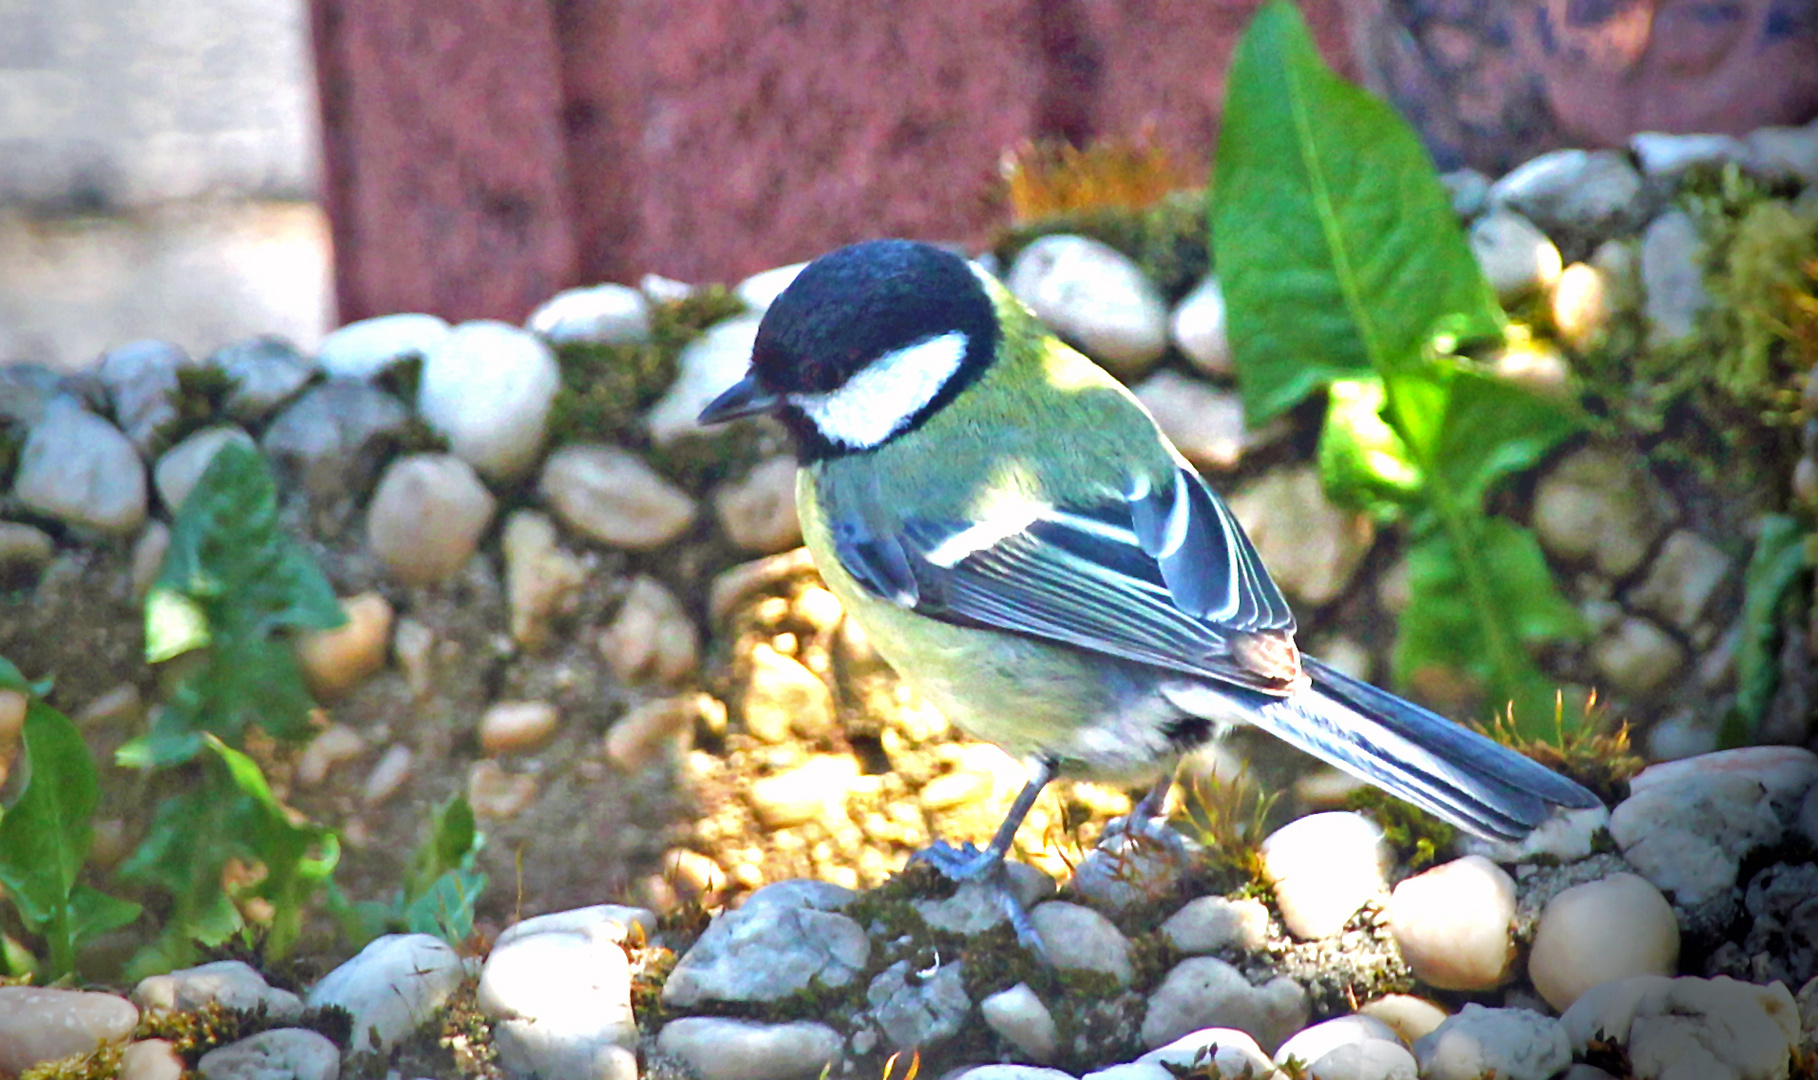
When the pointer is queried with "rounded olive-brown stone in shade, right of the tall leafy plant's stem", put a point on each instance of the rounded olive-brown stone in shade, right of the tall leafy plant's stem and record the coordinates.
(1599, 508)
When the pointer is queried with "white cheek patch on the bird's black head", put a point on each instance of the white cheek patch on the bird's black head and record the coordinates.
(879, 401)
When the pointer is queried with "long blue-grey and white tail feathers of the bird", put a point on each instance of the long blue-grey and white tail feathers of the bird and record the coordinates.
(1417, 755)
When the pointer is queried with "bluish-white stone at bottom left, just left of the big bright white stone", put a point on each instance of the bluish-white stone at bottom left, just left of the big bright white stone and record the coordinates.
(392, 988)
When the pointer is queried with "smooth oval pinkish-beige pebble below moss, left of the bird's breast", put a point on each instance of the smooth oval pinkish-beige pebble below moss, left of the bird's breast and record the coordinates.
(610, 495)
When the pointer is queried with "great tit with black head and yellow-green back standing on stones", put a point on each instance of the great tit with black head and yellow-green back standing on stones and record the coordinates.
(1024, 546)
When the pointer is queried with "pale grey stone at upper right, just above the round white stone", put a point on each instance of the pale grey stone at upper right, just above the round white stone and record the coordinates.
(1573, 194)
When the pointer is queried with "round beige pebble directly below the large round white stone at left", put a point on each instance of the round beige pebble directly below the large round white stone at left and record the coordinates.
(426, 517)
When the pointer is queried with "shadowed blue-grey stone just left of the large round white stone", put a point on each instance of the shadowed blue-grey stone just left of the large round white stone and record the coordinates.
(332, 439)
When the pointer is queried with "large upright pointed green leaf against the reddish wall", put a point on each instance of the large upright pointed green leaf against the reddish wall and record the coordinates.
(1335, 243)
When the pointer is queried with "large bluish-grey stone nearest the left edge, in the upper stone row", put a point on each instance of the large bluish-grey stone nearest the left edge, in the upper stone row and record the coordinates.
(79, 470)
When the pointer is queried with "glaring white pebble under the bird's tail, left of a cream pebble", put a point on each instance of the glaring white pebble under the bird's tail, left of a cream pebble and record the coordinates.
(1324, 868)
